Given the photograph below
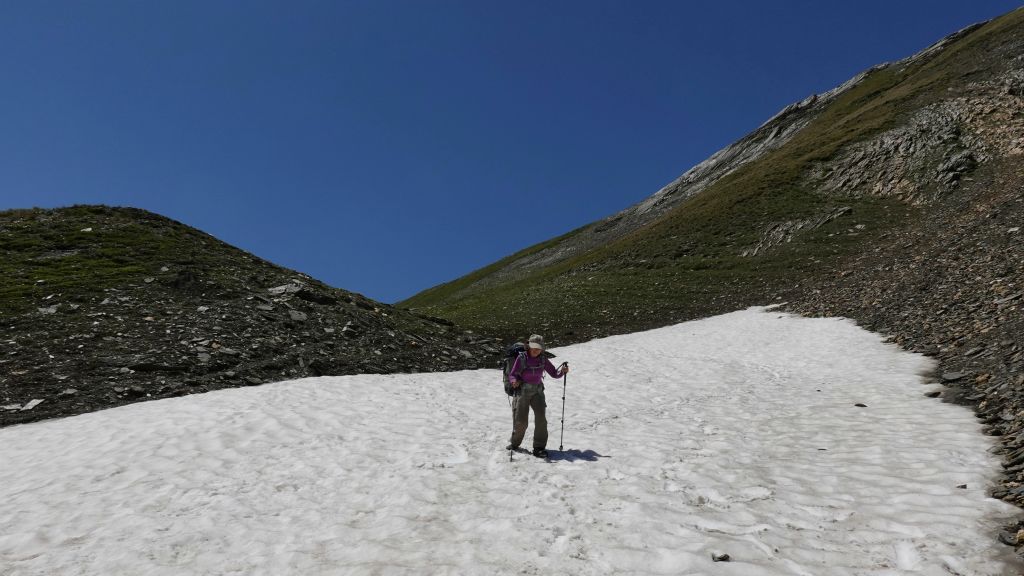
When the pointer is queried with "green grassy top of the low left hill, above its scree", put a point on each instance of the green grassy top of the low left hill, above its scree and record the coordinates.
(46, 253)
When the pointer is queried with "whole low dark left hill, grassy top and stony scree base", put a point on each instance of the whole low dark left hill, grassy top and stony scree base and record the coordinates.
(102, 307)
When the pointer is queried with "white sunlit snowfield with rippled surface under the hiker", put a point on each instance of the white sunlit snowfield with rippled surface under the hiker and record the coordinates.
(737, 435)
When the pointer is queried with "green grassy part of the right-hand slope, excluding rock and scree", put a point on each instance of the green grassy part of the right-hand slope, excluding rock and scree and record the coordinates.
(689, 264)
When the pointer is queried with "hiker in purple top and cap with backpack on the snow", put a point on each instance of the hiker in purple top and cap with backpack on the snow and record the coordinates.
(527, 379)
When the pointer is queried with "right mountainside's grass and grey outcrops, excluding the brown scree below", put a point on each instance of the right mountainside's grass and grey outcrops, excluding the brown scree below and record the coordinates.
(794, 200)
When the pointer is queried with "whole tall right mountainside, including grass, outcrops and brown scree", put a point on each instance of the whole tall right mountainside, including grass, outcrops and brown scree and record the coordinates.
(901, 204)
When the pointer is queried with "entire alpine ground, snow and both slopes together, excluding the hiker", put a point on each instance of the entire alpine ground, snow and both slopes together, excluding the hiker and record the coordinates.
(757, 351)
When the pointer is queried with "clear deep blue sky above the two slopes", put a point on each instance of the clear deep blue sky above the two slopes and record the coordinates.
(387, 147)
